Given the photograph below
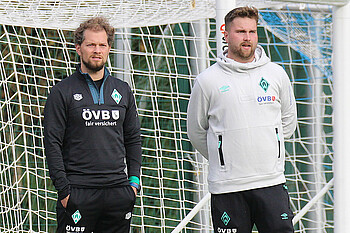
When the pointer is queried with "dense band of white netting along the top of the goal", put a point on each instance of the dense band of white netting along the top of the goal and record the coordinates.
(137, 13)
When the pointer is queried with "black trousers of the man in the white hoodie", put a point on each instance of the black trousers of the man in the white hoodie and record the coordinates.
(268, 208)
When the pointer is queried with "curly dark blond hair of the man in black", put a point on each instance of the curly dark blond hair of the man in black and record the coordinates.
(95, 24)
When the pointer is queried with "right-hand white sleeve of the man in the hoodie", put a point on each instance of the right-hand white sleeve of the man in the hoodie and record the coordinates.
(288, 108)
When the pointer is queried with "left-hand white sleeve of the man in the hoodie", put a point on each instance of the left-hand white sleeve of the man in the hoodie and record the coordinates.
(197, 120)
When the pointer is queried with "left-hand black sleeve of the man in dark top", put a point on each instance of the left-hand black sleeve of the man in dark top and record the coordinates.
(54, 130)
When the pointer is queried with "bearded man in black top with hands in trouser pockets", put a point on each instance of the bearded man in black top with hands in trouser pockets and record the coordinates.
(92, 140)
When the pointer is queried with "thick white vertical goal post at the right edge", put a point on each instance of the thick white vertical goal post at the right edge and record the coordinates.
(341, 61)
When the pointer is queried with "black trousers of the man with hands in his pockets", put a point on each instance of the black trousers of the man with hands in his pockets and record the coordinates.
(107, 210)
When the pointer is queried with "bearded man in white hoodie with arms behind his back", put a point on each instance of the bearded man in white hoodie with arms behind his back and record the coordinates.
(240, 110)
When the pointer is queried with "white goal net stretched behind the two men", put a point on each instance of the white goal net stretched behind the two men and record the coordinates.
(160, 47)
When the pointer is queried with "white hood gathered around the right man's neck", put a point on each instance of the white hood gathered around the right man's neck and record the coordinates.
(230, 65)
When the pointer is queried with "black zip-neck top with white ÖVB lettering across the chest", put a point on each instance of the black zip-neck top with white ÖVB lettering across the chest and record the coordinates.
(89, 134)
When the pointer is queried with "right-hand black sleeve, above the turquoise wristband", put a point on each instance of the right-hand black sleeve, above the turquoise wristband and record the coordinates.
(132, 139)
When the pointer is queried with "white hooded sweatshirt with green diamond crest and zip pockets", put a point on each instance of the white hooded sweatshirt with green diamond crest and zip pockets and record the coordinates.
(238, 117)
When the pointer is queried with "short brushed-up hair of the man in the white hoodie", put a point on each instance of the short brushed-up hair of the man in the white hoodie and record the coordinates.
(242, 12)
